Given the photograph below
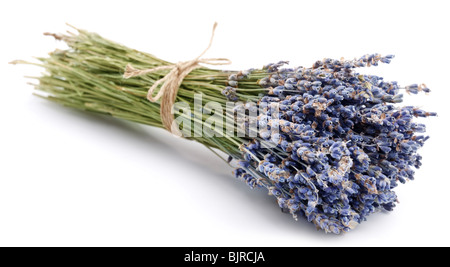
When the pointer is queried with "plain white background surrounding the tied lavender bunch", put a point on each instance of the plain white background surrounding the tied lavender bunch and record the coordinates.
(68, 178)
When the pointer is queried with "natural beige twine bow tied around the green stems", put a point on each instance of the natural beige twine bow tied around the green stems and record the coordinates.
(172, 81)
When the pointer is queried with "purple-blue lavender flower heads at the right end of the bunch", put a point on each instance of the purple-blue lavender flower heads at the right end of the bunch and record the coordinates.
(342, 145)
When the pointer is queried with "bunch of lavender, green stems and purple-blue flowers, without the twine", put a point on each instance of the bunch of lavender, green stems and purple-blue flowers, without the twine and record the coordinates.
(326, 142)
